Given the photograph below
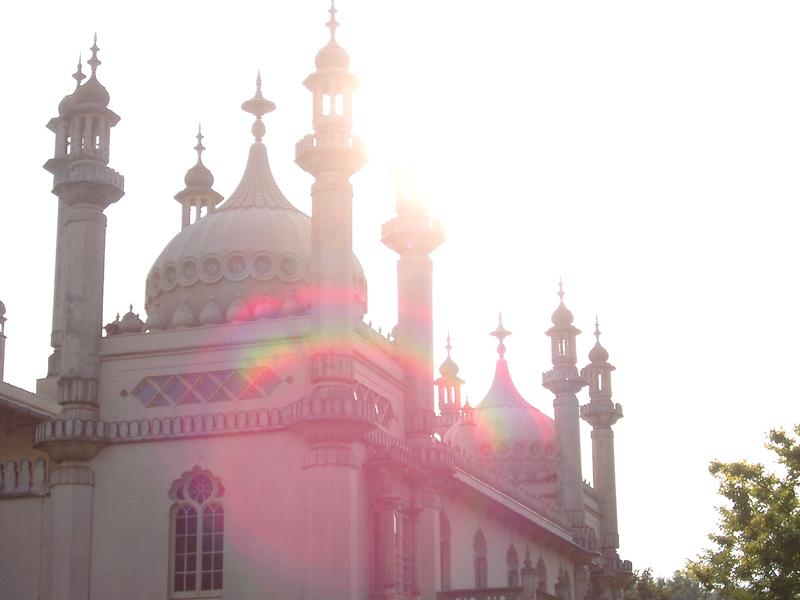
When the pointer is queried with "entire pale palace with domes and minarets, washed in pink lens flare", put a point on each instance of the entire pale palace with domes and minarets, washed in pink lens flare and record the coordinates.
(253, 437)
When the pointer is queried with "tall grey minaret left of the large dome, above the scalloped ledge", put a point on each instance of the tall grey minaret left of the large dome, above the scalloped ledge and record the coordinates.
(85, 187)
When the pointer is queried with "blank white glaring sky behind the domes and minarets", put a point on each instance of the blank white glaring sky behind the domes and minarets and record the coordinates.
(645, 151)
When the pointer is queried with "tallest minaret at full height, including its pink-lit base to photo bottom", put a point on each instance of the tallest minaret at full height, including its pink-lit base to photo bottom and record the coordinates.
(331, 465)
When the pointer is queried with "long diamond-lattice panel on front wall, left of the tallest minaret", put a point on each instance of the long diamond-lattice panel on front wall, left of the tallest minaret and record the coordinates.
(211, 386)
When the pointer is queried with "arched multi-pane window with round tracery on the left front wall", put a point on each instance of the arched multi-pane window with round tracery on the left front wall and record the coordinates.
(197, 528)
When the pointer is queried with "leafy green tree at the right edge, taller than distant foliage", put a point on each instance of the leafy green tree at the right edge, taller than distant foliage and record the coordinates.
(757, 553)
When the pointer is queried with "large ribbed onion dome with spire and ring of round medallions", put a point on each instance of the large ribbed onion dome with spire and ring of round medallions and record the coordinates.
(250, 258)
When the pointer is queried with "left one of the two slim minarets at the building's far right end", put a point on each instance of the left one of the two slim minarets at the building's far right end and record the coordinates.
(565, 382)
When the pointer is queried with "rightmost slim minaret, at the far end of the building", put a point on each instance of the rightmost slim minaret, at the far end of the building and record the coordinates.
(601, 413)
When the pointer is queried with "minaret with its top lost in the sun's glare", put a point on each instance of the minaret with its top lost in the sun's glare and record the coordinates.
(414, 235)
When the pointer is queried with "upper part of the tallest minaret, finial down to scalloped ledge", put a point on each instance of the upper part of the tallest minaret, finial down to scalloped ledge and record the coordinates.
(332, 155)
